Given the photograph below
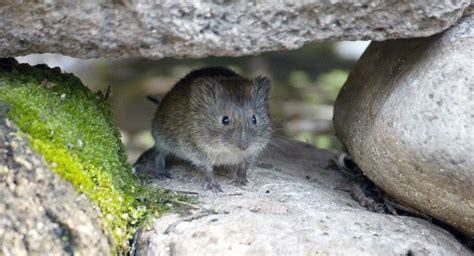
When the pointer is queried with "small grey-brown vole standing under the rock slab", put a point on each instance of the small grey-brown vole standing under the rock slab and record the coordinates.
(213, 117)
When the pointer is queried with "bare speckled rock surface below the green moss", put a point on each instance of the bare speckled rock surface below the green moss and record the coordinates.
(40, 214)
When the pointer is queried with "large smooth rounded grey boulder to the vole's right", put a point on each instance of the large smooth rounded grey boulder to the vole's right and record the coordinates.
(405, 115)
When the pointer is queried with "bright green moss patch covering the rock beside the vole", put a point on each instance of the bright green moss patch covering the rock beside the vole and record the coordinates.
(74, 130)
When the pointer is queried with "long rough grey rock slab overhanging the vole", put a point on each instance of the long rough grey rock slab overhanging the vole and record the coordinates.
(203, 28)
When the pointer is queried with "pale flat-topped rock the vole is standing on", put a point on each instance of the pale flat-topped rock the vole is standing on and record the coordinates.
(294, 205)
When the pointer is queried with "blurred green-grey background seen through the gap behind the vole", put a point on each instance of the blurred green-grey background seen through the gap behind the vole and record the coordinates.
(305, 85)
